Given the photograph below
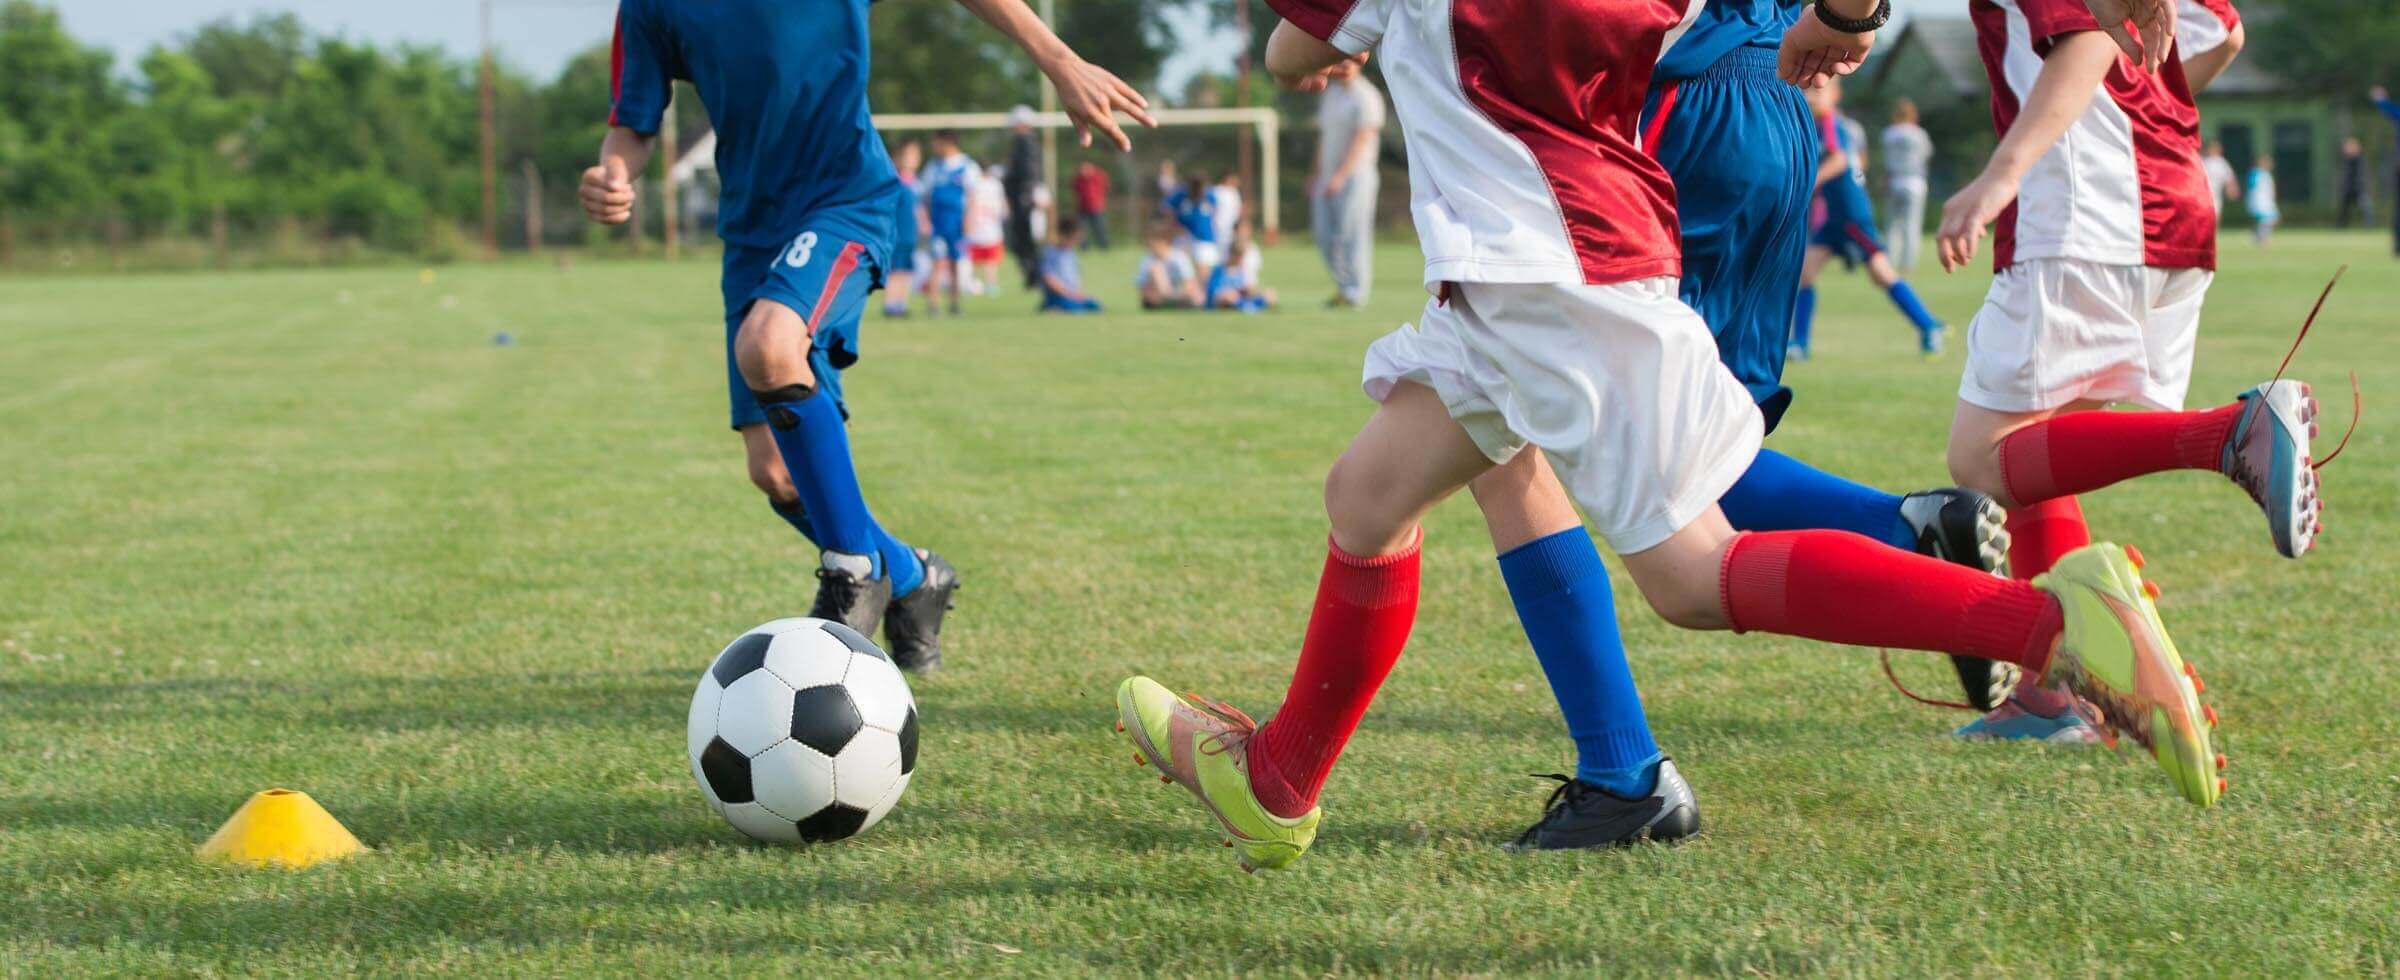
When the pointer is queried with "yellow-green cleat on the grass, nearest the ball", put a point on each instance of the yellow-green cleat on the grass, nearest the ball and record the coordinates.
(1206, 748)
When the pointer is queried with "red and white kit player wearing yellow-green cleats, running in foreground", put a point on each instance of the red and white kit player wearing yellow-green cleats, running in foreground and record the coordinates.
(1552, 251)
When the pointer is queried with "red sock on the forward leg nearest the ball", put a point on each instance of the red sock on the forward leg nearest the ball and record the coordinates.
(1355, 635)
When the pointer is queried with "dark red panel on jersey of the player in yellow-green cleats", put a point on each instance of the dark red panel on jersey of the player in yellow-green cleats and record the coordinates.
(1568, 80)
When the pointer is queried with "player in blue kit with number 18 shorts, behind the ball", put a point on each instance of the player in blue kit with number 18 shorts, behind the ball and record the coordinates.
(808, 222)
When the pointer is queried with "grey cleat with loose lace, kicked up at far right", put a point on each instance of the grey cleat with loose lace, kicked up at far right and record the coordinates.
(2269, 455)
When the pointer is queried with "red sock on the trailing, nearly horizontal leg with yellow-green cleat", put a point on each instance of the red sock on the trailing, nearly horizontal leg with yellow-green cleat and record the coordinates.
(1847, 590)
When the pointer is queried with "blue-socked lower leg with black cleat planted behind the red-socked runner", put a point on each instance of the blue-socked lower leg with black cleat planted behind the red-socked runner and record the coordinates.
(1624, 789)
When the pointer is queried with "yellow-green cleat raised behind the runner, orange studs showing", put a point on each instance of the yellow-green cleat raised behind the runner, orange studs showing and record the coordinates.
(2118, 657)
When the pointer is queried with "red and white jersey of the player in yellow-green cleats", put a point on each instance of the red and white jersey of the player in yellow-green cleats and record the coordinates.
(1520, 124)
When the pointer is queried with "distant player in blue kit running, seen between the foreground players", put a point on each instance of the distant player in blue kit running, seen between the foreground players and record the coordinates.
(1849, 232)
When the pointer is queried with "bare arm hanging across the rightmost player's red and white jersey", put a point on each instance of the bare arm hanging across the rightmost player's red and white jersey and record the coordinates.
(2060, 95)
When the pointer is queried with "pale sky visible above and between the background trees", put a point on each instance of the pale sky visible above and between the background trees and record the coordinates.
(532, 35)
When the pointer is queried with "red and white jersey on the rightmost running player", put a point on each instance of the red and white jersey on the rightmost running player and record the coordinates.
(2125, 184)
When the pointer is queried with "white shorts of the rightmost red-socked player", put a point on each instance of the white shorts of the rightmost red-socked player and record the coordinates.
(2070, 330)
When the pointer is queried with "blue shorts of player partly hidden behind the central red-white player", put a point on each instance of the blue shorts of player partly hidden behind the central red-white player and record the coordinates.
(1744, 155)
